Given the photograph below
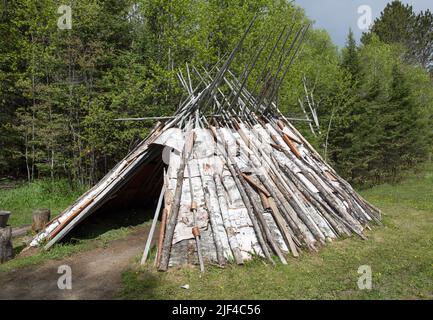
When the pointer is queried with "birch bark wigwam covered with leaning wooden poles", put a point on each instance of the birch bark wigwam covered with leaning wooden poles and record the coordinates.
(239, 180)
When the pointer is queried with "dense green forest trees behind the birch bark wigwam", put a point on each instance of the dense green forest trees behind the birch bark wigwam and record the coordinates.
(61, 89)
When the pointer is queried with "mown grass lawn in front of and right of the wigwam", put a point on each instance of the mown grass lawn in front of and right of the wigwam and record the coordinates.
(399, 254)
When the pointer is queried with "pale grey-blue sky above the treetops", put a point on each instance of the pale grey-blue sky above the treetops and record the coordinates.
(337, 16)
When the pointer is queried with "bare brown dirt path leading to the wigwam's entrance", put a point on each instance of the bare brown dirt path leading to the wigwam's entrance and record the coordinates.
(96, 274)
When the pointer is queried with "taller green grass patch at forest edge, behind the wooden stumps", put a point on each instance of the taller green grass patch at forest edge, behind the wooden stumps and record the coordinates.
(21, 201)
